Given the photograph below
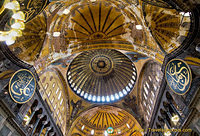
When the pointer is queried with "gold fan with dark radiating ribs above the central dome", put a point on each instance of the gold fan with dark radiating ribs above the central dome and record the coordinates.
(97, 25)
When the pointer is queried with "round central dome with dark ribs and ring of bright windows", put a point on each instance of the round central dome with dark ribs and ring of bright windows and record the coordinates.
(102, 75)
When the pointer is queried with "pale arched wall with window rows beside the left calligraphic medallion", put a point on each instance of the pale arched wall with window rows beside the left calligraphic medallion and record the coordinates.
(53, 91)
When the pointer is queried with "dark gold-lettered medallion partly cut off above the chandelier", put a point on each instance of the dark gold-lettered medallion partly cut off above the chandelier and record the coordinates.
(32, 8)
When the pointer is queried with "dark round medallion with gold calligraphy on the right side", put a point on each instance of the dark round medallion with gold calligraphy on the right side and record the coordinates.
(178, 76)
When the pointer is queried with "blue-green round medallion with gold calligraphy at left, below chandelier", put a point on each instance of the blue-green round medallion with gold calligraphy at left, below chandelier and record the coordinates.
(22, 86)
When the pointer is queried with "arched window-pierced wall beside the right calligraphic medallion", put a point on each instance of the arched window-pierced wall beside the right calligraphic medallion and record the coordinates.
(150, 80)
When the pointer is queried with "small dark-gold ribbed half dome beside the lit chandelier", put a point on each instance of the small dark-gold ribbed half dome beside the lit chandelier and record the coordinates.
(29, 45)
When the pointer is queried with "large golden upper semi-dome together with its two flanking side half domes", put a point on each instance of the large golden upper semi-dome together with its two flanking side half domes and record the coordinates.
(85, 25)
